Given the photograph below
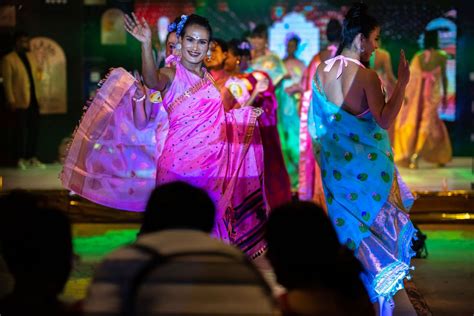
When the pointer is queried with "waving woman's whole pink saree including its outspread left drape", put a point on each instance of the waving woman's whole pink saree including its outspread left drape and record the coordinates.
(205, 146)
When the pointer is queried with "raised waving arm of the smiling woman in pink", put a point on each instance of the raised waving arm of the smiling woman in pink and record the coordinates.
(155, 79)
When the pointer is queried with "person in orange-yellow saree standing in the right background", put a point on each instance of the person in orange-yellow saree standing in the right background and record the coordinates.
(419, 132)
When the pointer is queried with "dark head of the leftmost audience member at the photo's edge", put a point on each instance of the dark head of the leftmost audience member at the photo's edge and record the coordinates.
(36, 241)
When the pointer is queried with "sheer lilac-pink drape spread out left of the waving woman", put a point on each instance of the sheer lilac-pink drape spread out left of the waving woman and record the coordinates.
(110, 161)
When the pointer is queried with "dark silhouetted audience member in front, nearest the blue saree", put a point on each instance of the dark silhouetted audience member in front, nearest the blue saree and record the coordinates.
(321, 276)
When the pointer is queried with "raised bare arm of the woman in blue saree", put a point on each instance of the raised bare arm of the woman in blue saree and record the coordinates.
(386, 112)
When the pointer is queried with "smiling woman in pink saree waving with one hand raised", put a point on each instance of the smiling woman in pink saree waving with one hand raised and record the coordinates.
(205, 146)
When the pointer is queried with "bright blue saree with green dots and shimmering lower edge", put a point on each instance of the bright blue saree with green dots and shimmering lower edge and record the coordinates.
(366, 199)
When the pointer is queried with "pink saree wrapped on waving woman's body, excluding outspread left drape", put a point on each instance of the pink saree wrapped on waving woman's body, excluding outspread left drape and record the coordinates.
(215, 150)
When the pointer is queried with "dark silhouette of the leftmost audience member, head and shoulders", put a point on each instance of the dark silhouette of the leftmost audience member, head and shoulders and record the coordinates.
(36, 245)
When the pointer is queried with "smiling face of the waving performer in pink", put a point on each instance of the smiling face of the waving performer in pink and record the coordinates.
(194, 44)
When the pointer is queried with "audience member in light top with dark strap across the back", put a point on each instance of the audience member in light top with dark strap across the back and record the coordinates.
(176, 268)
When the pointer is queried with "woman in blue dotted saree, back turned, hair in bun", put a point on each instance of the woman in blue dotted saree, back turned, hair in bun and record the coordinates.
(366, 199)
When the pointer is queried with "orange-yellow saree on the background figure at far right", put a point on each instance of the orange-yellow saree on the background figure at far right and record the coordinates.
(418, 128)
